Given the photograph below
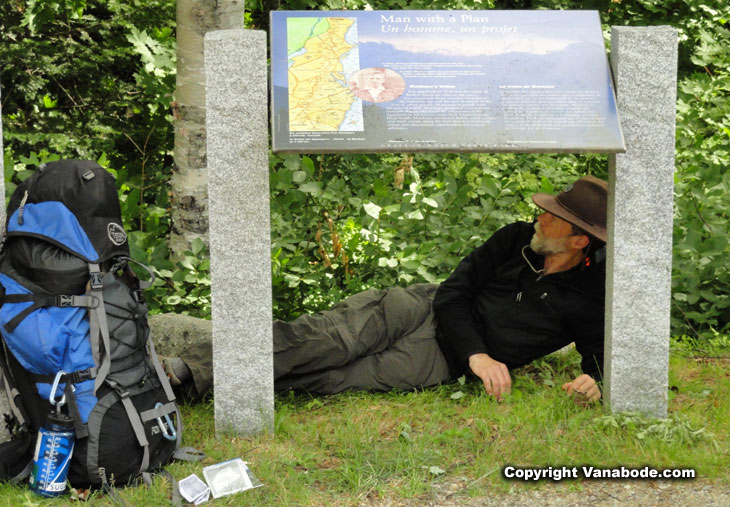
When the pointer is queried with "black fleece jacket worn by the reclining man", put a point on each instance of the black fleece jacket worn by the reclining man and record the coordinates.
(496, 304)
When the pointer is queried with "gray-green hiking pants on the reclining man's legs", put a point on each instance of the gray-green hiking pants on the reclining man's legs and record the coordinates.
(375, 340)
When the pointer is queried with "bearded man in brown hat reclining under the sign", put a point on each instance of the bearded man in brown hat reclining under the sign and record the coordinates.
(528, 291)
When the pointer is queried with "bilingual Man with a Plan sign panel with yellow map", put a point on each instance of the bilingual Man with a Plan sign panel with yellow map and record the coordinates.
(380, 81)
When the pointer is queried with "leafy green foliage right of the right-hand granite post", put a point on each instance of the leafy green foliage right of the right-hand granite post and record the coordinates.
(701, 279)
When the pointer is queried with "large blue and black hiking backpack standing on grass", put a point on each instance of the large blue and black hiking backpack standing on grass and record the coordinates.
(73, 312)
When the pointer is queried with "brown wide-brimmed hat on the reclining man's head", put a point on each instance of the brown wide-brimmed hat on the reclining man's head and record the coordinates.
(582, 203)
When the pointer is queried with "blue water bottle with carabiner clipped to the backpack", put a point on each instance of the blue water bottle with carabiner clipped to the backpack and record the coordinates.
(53, 450)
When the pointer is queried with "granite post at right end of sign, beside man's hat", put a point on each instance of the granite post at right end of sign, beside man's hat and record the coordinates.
(639, 260)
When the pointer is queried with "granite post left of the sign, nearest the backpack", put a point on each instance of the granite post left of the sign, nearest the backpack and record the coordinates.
(240, 237)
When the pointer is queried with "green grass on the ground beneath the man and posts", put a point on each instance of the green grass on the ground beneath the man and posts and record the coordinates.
(418, 446)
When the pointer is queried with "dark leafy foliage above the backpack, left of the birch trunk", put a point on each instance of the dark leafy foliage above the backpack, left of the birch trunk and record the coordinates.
(82, 81)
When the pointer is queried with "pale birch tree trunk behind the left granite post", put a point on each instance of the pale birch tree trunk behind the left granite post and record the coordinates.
(189, 183)
